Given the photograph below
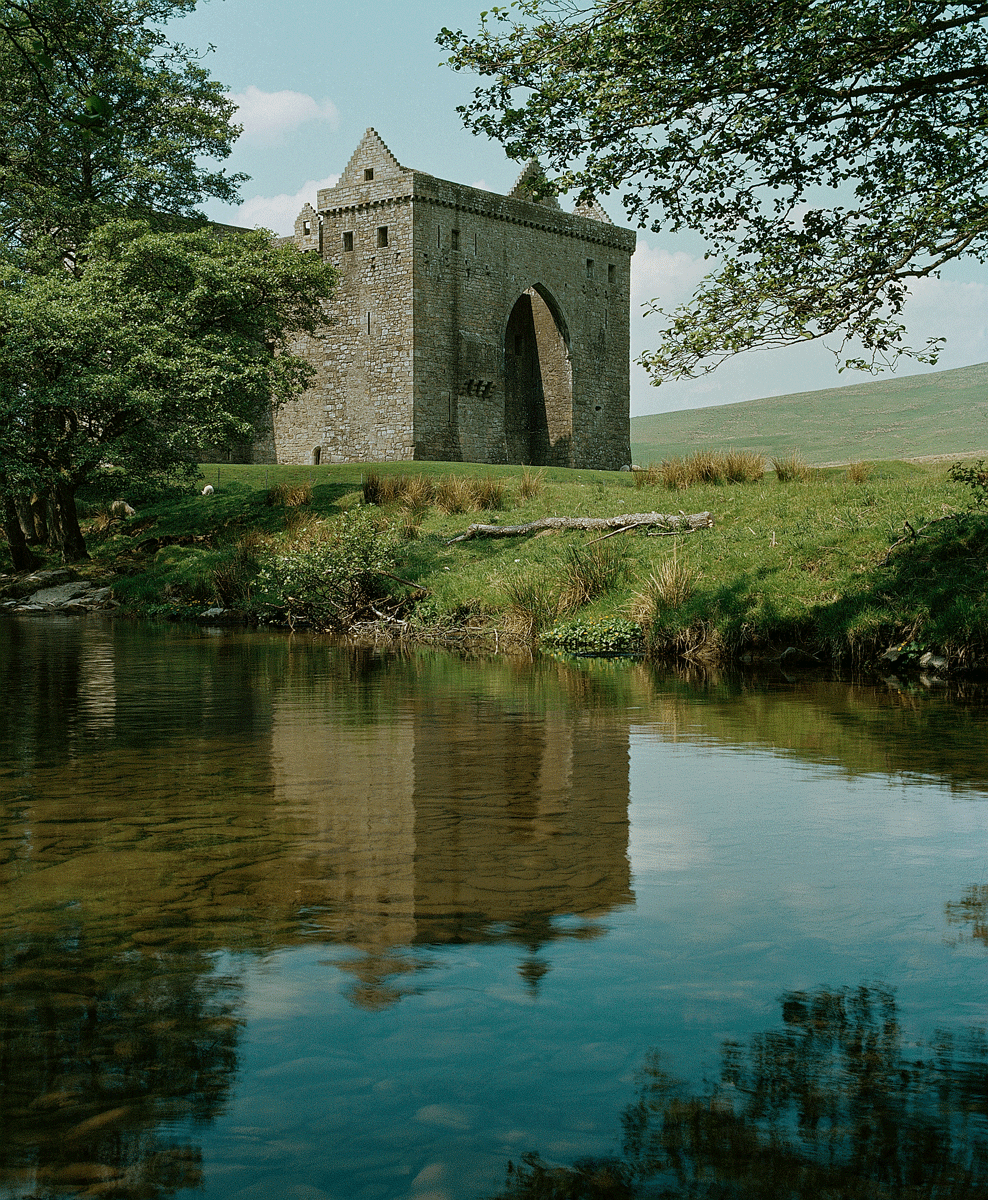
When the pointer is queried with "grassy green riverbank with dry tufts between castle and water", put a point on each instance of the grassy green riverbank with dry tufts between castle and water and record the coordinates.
(801, 563)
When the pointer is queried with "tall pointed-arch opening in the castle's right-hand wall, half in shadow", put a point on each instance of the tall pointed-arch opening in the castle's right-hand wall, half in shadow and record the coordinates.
(538, 383)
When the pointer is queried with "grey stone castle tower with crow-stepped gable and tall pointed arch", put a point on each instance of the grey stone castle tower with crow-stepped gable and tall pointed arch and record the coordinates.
(468, 326)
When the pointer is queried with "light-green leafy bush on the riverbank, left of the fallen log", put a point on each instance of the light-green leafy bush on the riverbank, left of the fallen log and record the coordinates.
(331, 577)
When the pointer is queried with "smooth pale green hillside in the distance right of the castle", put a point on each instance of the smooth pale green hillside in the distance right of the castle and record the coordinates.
(943, 413)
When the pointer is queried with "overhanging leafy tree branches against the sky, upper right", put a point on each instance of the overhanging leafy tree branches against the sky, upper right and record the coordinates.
(831, 154)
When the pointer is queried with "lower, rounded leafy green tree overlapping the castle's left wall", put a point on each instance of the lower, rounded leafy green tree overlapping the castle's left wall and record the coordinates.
(165, 343)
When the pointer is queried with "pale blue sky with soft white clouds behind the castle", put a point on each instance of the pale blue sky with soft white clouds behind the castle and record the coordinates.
(310, 76)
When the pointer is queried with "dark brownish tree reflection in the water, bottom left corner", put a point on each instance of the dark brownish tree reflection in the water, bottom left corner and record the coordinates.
(99, 1053)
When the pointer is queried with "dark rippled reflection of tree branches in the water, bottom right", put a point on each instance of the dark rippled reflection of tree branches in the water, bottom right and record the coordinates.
(830, 1107)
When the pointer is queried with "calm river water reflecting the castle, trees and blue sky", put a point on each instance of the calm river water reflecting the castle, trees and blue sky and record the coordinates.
(284, 920)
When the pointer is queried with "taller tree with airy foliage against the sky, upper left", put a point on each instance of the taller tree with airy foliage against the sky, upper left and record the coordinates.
(103, 118)
